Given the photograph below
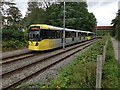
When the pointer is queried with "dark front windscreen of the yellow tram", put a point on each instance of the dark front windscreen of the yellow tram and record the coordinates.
(34, 35)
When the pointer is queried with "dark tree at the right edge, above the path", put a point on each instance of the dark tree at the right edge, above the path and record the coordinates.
(116, 24)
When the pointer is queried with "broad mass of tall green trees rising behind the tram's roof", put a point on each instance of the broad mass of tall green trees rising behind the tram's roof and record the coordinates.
(77, 15)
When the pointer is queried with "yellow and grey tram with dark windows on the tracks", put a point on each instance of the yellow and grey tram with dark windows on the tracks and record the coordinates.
(45, 37)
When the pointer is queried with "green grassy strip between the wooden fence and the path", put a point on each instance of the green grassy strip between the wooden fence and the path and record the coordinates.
(110, 69)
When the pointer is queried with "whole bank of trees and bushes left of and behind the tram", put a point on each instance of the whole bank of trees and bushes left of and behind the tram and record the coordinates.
(77, 17)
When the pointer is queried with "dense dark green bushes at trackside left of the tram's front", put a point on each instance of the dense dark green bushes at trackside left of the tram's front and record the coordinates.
(13, 39)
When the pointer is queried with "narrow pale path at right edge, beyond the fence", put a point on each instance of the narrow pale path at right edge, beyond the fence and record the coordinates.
(116, 46)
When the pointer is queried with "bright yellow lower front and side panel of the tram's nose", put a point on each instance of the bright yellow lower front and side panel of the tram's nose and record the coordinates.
(45, 44)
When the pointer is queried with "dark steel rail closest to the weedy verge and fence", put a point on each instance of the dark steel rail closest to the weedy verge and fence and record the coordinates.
(45, 68)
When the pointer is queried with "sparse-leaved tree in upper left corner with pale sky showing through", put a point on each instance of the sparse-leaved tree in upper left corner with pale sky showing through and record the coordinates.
(11, 15)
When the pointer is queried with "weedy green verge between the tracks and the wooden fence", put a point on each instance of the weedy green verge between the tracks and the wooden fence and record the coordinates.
(81, 73)
